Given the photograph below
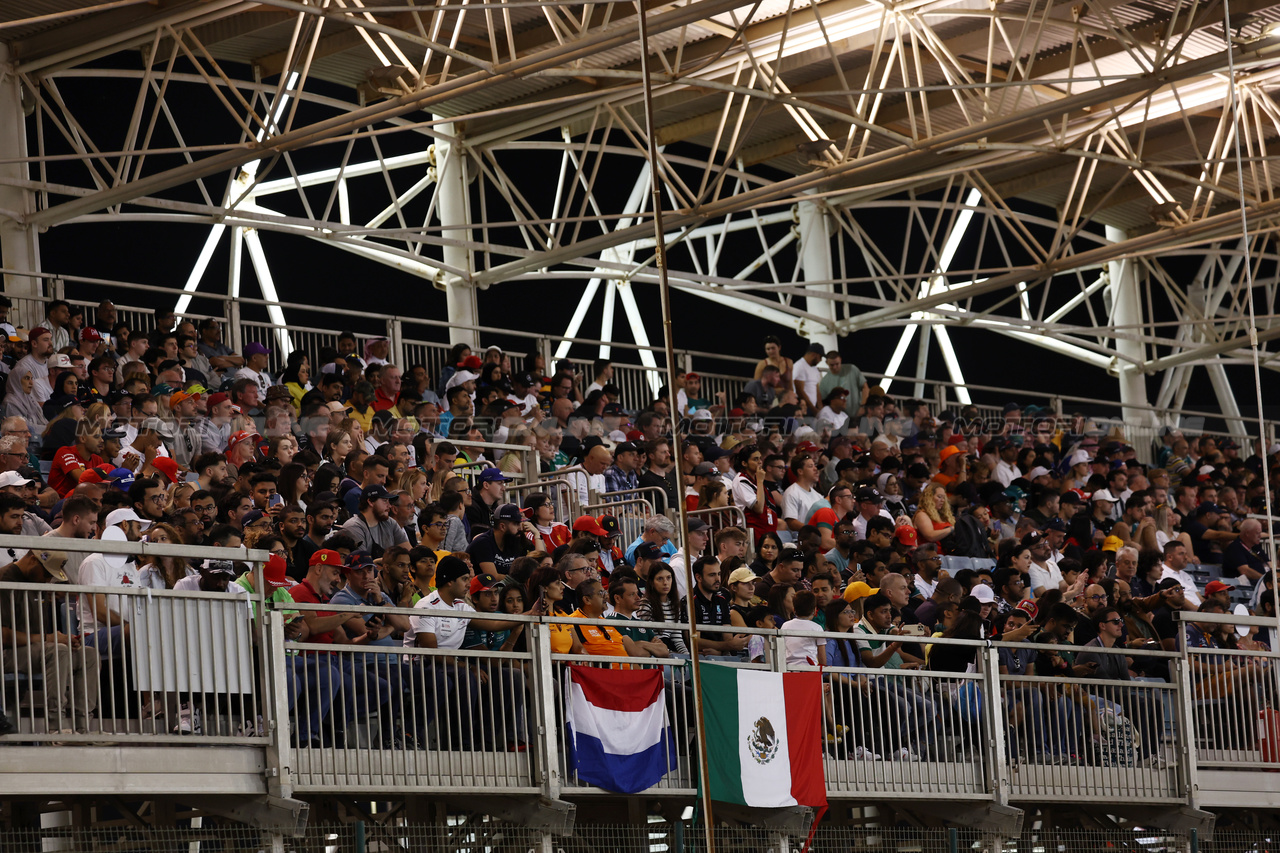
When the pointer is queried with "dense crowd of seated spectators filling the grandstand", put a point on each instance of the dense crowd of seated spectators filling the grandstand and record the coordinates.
(348, 468)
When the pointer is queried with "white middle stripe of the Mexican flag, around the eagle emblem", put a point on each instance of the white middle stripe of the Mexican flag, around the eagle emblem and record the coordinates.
(760, 696)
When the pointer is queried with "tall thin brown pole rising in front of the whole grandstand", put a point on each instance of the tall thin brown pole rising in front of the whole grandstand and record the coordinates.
(669, 341)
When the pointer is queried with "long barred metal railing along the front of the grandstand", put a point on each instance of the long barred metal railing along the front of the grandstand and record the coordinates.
(486, 713)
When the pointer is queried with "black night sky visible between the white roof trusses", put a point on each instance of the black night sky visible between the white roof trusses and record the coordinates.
(305, 272)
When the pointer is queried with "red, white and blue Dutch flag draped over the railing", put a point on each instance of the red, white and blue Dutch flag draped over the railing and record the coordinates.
(618, 723)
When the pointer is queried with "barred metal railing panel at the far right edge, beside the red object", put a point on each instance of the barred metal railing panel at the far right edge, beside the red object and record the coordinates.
(1236, 709)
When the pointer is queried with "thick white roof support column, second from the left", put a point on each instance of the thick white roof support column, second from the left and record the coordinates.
(455, 211)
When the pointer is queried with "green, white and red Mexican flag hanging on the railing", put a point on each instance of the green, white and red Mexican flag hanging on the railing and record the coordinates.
(764, 737)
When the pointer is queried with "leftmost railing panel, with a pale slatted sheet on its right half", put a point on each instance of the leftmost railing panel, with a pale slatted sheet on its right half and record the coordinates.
(181, 667)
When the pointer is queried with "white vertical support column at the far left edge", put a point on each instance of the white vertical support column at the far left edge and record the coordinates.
(20, 245)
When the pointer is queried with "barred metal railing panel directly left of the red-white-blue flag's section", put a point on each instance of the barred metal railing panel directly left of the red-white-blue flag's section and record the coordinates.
(412, 719)
